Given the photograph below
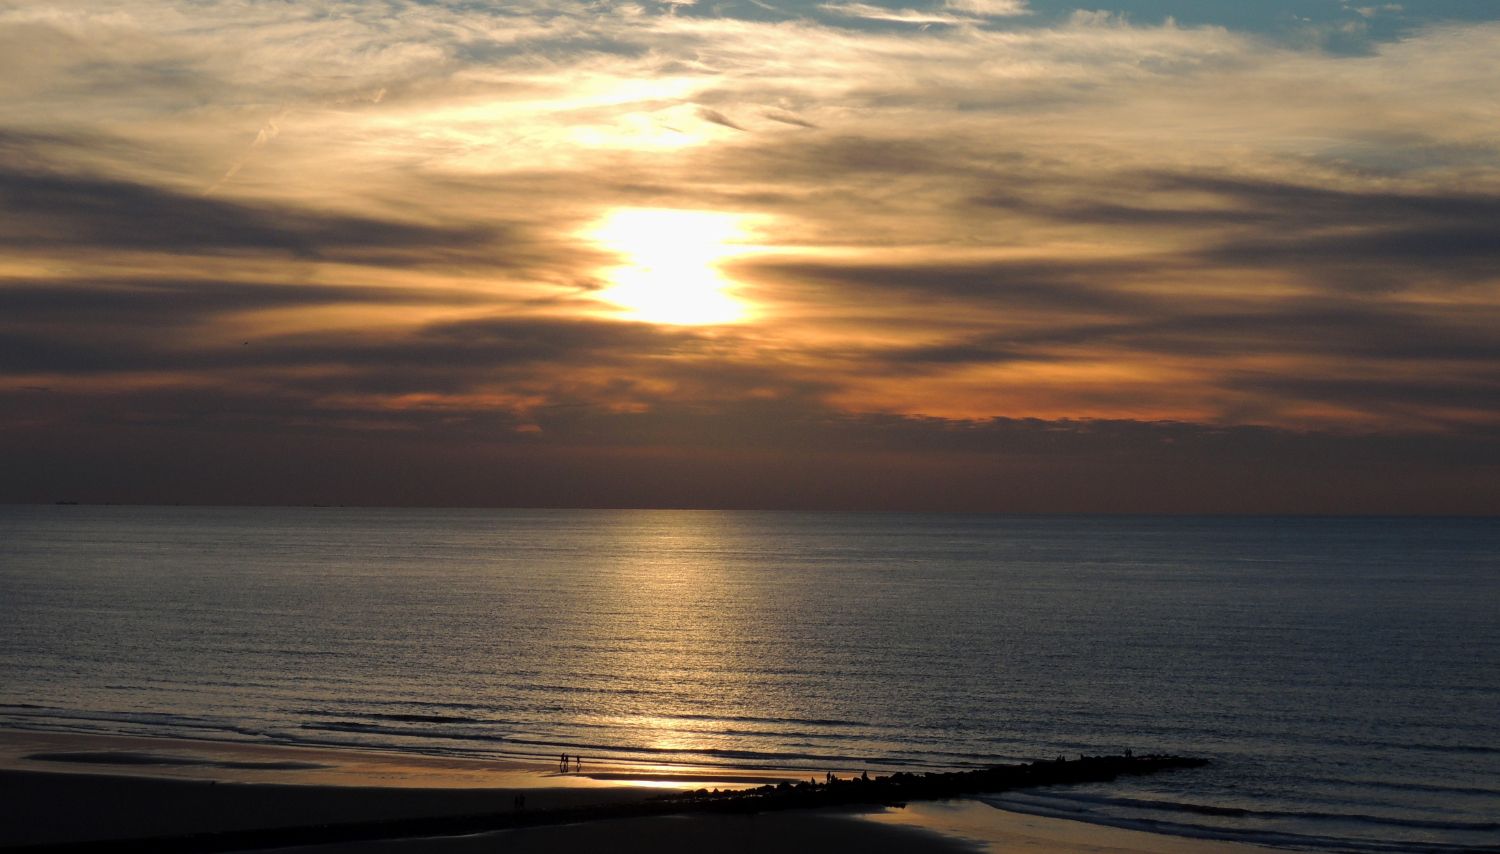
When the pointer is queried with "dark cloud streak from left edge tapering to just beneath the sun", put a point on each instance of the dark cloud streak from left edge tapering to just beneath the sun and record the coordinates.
(467, 350)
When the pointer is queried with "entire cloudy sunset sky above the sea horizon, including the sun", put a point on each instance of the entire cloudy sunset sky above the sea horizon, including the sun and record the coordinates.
(994, 256)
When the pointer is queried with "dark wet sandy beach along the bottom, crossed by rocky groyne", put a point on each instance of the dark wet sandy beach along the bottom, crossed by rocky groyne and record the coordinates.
(61, 789)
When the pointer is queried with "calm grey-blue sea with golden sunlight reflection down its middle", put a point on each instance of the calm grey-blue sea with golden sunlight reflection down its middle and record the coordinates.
(1342, 675)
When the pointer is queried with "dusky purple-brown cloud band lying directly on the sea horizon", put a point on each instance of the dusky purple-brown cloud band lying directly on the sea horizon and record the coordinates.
(737, 457)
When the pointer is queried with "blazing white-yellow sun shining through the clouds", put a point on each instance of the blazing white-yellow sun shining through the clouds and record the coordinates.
(671, 265)
